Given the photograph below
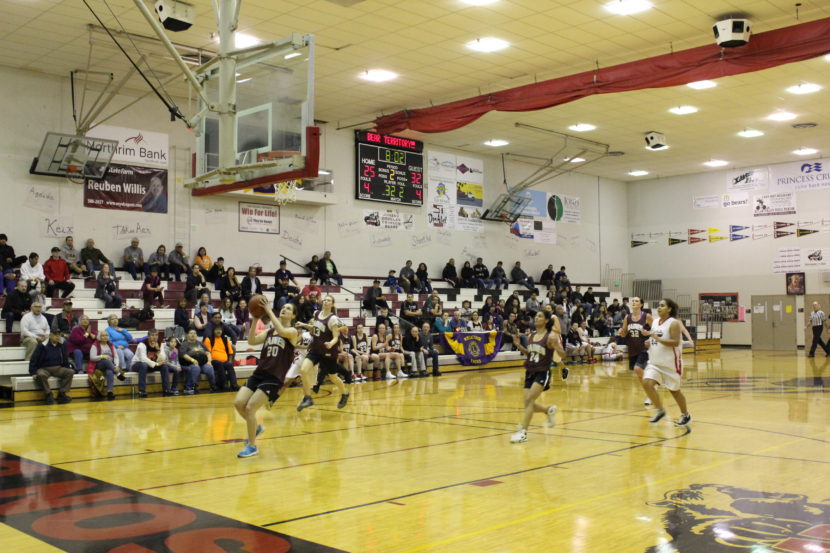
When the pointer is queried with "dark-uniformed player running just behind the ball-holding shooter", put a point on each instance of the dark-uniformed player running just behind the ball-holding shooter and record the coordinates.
(323, 354)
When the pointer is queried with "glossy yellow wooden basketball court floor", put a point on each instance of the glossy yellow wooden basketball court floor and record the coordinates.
(425, 464)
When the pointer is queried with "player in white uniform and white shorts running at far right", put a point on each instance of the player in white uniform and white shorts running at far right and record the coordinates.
(665, 361)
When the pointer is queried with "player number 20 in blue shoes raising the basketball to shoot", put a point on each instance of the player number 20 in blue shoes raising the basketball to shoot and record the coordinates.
(270, 374)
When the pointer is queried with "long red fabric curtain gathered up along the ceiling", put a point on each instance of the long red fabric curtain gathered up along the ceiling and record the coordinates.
(796, 43)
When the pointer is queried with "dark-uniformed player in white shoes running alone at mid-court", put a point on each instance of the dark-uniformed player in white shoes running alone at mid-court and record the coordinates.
(541, 345)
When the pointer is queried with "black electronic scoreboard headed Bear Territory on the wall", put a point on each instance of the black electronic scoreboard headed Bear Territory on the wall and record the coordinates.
(389, 168)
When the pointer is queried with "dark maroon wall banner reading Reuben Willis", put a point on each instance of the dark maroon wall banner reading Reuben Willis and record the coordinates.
(129, 188)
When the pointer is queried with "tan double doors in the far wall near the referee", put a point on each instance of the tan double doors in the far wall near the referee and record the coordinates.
(773, 322)
